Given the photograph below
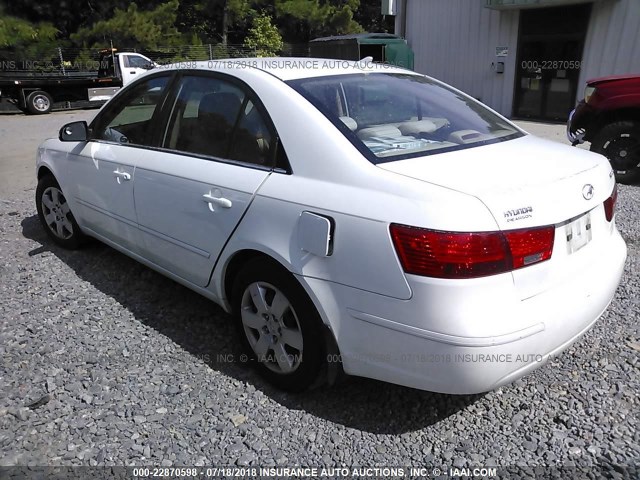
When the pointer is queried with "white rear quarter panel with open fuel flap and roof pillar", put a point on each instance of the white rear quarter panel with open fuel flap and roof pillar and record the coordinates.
(330, 177)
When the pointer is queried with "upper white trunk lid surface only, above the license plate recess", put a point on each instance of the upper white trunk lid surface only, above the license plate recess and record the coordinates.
(524, 182)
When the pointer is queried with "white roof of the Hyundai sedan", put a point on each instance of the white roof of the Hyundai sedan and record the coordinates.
(292, 68)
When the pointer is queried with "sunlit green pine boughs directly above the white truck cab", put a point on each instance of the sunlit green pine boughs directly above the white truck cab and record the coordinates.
(134, 28)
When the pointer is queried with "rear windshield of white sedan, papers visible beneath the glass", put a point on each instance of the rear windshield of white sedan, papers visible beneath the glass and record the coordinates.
(396, 116)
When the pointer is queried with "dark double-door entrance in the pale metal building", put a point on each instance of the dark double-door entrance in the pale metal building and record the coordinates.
(549, 60)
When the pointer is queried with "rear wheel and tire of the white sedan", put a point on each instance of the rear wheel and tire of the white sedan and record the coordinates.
(279, 327)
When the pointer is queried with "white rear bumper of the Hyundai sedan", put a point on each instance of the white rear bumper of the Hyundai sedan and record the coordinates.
(466, 338)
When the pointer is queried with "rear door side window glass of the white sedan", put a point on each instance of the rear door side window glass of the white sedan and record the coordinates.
(216, 118)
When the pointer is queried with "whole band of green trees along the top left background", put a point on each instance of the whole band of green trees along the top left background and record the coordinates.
(36, 28)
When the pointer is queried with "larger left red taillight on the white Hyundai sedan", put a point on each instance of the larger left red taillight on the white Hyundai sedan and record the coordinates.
(434, 253)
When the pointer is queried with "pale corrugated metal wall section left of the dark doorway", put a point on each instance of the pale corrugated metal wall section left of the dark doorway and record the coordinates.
(455, 41)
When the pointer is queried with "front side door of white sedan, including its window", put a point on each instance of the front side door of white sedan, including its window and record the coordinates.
(103, 169)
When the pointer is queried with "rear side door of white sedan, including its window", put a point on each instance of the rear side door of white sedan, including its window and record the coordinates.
(217, 149)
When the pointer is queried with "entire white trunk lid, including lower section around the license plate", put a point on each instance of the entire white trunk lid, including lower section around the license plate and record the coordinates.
(530, 182)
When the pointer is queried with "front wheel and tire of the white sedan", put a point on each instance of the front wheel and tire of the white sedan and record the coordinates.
(55, 215)
